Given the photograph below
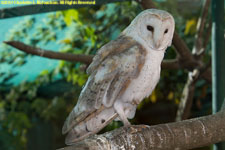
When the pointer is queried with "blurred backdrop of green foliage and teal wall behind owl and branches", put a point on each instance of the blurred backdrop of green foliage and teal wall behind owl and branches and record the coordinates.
(37, 94)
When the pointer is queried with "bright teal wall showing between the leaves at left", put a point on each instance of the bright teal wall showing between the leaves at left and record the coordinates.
(34, 64)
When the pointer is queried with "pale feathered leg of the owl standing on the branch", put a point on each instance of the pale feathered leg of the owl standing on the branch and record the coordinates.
(119, 107)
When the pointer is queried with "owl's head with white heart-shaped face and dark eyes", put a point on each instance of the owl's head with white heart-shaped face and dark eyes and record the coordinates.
(153, 28)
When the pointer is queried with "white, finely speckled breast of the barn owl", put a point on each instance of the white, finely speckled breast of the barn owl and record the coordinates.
(144, 84)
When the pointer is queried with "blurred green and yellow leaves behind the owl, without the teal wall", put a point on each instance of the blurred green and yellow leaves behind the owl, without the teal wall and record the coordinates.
(80, 31)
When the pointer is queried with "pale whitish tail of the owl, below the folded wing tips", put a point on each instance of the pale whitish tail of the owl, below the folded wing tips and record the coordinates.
(91, 126)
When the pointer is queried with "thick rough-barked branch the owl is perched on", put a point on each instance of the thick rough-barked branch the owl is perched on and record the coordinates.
(186, 134)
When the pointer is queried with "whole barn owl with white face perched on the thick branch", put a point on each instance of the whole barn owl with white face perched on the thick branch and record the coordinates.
(122, 74)
